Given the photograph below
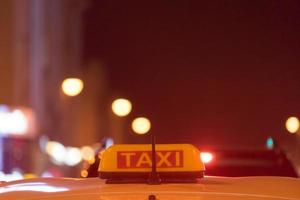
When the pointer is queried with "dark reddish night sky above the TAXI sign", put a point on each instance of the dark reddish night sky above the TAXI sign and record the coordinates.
(219, 73)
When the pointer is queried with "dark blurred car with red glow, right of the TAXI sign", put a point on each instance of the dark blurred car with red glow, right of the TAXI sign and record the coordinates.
(250, 163)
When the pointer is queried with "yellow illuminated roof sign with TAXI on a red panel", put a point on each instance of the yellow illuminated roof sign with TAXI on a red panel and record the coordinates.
(135, 160)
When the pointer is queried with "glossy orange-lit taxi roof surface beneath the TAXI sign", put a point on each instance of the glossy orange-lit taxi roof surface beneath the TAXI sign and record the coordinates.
(207, 188)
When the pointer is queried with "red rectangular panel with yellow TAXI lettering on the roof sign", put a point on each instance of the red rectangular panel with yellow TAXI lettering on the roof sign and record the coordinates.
(142, 159)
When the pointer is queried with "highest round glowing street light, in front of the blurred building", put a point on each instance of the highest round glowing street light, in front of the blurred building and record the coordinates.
(72, 86)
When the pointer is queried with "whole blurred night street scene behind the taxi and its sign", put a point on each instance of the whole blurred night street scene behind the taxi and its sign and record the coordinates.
(77, 76)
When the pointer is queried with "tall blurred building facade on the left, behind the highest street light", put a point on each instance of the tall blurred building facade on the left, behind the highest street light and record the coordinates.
(40, 45)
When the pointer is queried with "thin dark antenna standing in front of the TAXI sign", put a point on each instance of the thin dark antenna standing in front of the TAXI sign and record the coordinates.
(153, 178)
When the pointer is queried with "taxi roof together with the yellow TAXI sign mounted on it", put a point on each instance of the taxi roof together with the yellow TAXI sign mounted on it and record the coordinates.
(153, 172)
